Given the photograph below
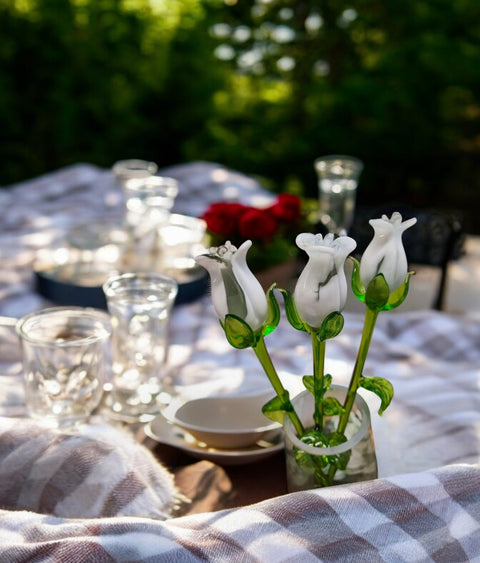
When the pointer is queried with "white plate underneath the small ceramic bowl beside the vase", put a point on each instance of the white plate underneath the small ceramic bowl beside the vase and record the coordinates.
(166, 433)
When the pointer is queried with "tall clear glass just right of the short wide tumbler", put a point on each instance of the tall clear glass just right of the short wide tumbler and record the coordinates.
(140, 306)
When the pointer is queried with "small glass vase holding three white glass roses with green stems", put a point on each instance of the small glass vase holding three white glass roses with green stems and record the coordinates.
(316, 469)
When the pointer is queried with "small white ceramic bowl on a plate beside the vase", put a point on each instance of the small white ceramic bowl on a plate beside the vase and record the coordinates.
(223, 422)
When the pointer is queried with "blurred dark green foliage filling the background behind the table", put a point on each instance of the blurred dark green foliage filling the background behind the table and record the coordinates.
(394, 83)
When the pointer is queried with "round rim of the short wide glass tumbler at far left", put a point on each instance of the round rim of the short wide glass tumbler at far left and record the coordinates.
(73, 312)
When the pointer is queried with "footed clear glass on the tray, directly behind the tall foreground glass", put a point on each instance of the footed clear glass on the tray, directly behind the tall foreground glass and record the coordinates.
(148, 203)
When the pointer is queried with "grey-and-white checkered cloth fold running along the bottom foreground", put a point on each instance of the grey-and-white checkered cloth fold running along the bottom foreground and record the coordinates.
(427, 516)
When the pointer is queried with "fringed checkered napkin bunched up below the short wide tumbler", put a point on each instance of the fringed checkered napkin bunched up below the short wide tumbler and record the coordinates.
(100, 471)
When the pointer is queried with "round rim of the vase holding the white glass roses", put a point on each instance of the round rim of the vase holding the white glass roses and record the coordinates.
(334, 450)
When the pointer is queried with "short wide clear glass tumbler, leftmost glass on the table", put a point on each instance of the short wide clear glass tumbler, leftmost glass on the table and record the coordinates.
(64, 352)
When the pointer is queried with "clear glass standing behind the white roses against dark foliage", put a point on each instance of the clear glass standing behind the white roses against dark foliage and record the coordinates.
(338, 177)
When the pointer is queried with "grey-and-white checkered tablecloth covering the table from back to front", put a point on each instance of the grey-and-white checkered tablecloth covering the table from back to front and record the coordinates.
(424, 507)
